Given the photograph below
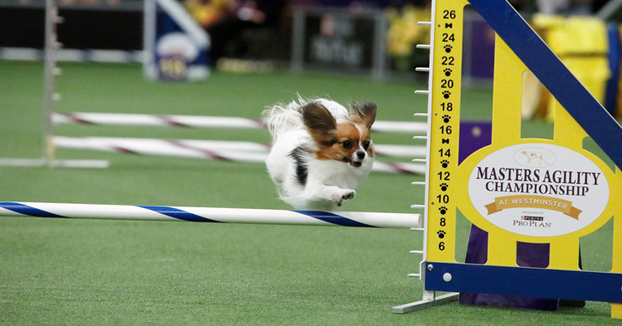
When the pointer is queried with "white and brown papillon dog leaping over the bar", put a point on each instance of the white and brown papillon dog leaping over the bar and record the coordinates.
(321, 151)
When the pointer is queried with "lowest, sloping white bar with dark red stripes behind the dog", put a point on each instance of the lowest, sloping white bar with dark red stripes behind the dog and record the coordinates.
(188, 149)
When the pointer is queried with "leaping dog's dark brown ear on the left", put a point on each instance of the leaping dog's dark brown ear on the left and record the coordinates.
(320, 123)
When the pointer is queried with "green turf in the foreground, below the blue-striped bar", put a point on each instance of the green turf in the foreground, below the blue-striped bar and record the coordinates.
(83, 272)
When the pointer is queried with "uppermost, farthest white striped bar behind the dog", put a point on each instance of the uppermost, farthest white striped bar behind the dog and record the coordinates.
(206, 121)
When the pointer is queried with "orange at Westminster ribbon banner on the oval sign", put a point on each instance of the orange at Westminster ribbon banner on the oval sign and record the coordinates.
(533, 201)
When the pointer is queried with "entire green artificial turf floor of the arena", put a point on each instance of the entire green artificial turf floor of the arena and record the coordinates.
(94, 272)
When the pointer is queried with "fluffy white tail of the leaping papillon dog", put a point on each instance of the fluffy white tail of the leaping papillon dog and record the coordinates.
(282, 118)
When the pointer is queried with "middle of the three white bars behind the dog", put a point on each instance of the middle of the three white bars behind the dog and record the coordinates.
(217, 145)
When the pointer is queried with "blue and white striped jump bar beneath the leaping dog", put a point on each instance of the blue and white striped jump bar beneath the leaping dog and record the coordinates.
(210, 214)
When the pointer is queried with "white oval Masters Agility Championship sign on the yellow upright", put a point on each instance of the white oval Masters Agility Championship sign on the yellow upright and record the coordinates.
(539, 190)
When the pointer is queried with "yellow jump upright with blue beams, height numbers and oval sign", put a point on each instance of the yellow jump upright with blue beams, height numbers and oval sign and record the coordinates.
(517, 189)
